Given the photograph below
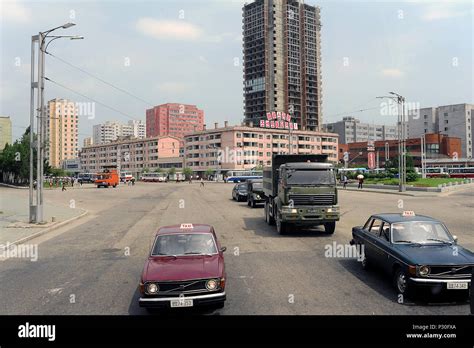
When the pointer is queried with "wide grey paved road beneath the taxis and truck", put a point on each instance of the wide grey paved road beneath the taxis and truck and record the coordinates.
(92, 266)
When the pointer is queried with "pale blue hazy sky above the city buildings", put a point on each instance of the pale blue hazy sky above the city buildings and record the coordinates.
(190, 52)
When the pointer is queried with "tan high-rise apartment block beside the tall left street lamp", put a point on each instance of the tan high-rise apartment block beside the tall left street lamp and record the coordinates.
(61, 131)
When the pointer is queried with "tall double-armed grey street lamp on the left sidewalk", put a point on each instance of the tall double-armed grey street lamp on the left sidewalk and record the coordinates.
(36, 210)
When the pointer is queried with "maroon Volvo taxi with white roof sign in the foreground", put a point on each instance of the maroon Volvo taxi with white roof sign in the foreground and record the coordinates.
(185, 268)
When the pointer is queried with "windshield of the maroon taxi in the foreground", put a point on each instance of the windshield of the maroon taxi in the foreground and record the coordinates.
(184, 244)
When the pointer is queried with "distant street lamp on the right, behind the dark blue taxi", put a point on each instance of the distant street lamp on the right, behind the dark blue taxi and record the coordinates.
(400, 100)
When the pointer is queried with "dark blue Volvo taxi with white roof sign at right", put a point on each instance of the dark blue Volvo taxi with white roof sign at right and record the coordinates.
(416, 250)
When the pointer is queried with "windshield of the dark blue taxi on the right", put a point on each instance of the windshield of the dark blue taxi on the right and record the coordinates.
(422, 232)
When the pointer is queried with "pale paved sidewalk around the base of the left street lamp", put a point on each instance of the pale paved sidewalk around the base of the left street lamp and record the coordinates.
(14, 216)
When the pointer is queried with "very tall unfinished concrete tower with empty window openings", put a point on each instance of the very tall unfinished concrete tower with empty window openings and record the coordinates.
(282, 61)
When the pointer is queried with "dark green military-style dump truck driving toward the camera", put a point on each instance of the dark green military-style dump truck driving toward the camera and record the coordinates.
(300, 190)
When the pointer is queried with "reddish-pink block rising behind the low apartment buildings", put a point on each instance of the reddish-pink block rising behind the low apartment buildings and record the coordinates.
(173, 120)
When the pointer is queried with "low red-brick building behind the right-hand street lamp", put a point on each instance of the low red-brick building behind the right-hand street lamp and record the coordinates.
(438, 146)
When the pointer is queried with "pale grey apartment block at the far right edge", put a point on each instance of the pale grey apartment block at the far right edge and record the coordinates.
(451, 120)
